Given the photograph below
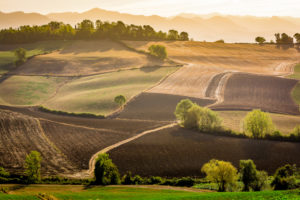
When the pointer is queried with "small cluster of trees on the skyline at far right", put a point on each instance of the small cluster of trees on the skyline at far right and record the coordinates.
(281, 39)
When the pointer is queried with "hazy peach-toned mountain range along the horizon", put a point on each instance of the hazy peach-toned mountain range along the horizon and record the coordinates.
(209, 27)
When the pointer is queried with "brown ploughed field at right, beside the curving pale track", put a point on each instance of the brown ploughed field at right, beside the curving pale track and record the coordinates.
(246, 92)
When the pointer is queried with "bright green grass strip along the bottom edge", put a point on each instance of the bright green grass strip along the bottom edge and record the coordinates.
(67, 192)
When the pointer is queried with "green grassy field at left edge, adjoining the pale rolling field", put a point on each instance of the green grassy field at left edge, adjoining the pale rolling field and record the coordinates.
(28, 90)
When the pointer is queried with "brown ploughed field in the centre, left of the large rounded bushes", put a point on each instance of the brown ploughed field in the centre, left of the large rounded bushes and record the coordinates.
(154, 106)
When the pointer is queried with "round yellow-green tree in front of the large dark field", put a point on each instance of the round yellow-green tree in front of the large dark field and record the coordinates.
(220, 172)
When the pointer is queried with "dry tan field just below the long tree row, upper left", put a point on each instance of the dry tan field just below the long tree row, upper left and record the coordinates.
(86, 58)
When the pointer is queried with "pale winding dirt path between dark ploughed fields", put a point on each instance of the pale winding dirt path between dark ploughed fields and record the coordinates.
(90, 171)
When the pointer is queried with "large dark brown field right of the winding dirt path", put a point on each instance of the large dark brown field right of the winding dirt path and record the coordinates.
(180, 152)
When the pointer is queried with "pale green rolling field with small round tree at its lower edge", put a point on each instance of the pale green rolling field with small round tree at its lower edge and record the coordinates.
(95, 94)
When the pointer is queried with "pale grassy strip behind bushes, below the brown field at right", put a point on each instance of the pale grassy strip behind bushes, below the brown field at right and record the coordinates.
(234, 119)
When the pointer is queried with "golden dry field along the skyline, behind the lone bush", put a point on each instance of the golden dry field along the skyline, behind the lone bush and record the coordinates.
(252, 58)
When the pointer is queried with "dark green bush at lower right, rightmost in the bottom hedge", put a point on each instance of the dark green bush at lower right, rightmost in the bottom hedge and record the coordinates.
(284, 178)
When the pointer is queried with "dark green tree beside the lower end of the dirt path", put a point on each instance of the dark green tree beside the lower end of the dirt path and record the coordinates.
(106, 172)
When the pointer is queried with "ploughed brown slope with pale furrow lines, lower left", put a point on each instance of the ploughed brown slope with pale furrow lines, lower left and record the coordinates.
(20, 134)
